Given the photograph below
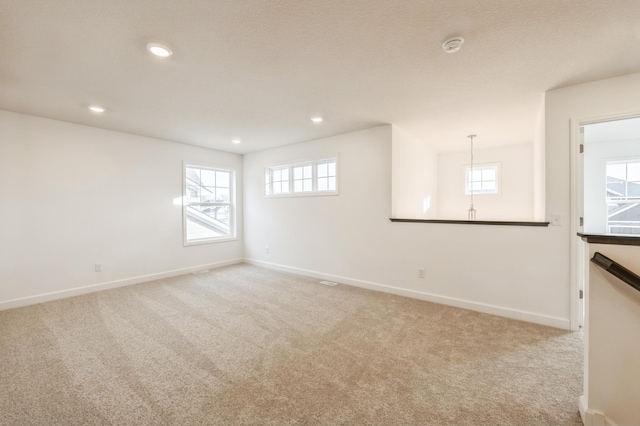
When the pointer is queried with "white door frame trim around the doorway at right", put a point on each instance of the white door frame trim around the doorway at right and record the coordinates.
(577, 205)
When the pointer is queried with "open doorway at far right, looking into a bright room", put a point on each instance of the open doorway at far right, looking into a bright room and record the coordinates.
(606, 173)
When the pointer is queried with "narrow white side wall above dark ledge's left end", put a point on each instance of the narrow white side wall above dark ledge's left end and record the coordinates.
(414, 178)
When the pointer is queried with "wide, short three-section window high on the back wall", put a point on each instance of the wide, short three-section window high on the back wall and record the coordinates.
(308, 178)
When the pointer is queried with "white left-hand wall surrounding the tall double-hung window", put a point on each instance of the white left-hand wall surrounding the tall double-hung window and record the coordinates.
(72, 196)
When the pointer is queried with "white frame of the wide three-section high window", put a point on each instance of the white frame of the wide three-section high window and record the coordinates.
(268, 179)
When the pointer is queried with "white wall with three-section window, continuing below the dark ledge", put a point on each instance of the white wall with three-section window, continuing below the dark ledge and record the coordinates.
(513, 271)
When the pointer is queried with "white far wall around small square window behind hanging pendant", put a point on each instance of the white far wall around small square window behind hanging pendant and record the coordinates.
(514, 202)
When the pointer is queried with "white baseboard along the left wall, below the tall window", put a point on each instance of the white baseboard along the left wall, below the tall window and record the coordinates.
(46, 297)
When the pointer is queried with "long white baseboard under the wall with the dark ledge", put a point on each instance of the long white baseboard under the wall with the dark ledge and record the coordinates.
(563, 323)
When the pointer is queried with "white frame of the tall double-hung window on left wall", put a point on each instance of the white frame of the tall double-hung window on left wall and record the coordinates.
(231, 204)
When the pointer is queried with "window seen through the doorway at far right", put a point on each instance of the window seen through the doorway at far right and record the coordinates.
(623, 197)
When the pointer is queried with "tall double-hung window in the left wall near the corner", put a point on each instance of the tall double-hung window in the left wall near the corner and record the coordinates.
(209, 210)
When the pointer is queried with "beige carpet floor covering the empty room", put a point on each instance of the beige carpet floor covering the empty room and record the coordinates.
(243, 345)
